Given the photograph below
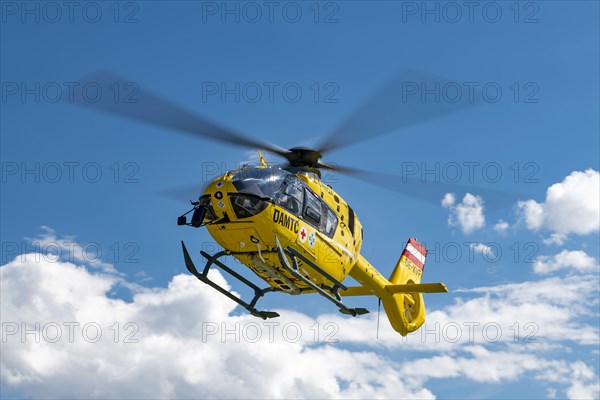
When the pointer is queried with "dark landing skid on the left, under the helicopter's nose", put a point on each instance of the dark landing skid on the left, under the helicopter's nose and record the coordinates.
(258, 292)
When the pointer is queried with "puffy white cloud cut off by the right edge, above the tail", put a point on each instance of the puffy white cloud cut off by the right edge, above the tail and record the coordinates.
(571, 206)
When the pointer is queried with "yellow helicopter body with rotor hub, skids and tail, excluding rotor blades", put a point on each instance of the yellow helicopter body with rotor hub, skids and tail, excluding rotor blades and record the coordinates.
(298, 235)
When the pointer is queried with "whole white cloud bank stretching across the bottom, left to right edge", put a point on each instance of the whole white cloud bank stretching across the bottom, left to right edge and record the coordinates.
(192, 343)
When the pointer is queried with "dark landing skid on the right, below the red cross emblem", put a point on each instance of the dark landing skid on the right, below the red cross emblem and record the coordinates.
(333, 295)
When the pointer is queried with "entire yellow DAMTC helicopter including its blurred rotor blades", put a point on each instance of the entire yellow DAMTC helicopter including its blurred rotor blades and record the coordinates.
(285, 224)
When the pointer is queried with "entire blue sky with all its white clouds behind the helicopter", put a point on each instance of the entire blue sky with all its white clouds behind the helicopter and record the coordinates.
(96, 181)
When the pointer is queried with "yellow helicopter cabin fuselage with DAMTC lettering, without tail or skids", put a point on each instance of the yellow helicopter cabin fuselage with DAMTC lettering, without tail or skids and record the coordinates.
(249, 209)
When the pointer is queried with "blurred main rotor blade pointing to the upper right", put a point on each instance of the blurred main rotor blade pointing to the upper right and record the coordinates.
(409, 98)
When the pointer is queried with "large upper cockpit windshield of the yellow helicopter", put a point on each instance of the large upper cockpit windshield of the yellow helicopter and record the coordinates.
(261, 182)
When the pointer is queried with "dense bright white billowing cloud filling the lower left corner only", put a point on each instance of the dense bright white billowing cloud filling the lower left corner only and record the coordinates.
(172, 355)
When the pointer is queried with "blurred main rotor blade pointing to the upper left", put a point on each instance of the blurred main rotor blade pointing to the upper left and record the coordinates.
(141, 104)
